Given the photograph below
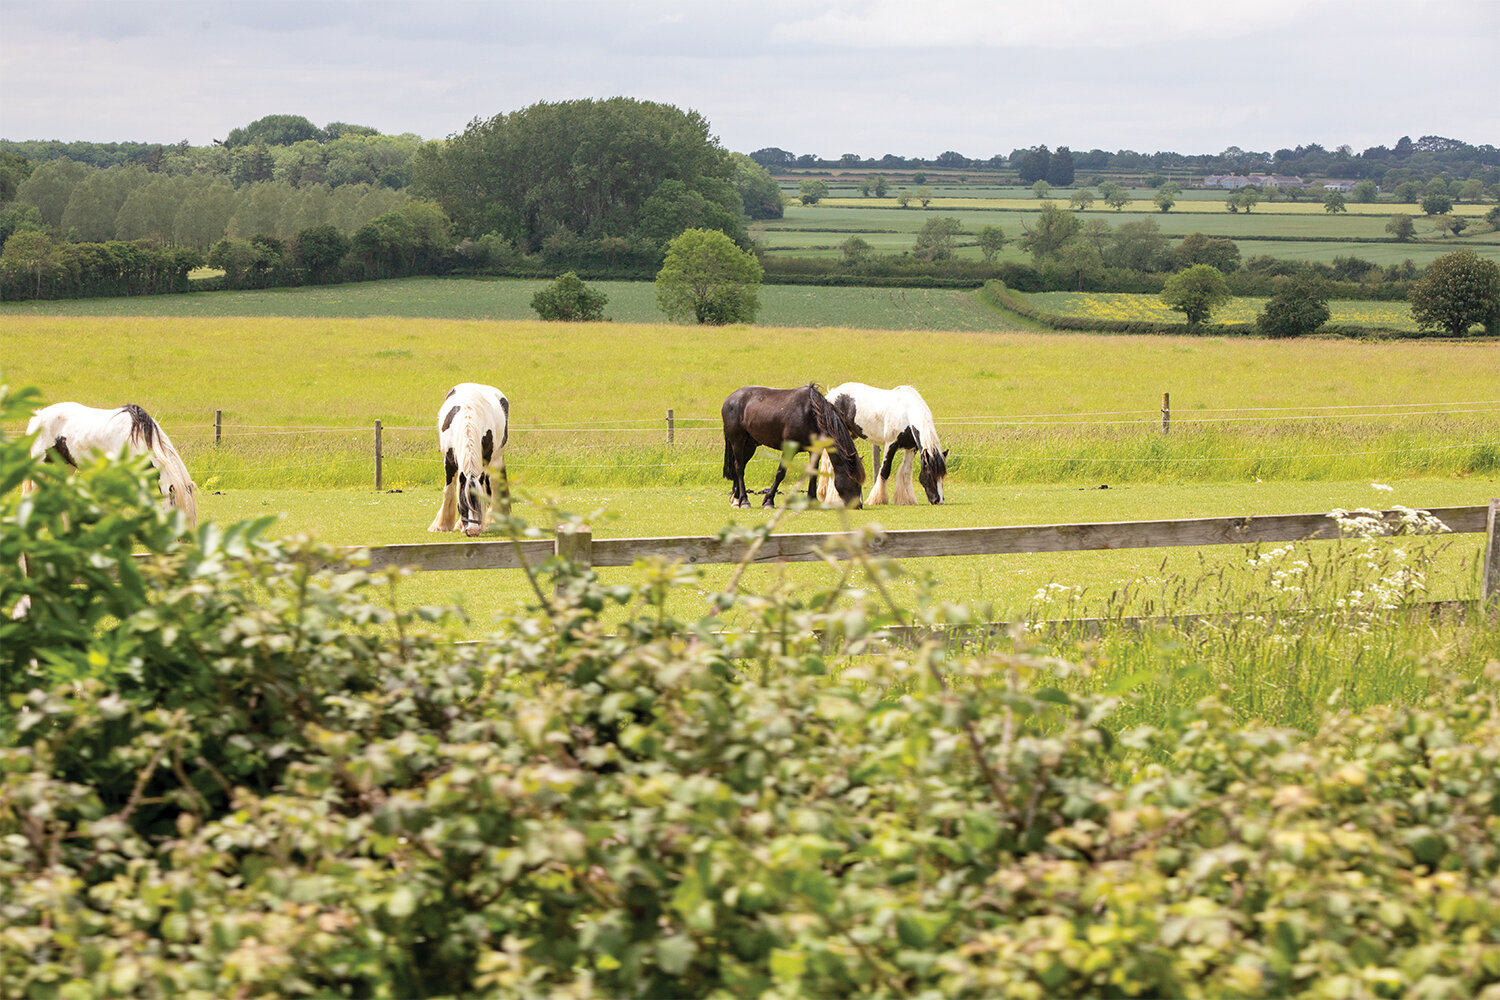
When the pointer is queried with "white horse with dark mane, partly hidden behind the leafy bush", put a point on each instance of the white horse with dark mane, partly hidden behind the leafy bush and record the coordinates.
(76, 434)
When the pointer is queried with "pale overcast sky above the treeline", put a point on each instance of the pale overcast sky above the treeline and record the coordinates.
(826, 77)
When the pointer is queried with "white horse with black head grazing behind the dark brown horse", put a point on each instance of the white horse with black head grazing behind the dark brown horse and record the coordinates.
(896, 421)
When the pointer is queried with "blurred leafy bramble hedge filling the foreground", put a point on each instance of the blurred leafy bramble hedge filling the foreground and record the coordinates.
(230, 767)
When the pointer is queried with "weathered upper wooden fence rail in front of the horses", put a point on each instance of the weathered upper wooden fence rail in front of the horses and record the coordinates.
(583, 548)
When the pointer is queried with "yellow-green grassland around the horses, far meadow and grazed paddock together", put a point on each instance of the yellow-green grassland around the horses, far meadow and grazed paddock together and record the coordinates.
(1039, 425)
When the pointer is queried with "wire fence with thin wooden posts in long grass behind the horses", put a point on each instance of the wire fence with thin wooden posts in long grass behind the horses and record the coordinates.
(1414, 436)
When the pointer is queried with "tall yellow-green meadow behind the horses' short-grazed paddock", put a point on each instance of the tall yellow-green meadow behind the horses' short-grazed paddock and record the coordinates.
(301, 395)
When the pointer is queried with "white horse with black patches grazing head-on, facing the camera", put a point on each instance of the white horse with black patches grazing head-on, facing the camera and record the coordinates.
(473, 428)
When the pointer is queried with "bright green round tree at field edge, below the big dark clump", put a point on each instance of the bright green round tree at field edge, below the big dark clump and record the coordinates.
(709, 278)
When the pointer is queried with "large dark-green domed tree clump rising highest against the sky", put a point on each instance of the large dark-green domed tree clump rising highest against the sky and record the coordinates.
(583, 167)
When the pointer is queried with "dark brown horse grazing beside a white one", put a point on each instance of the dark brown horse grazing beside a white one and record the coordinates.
(758, 416)
